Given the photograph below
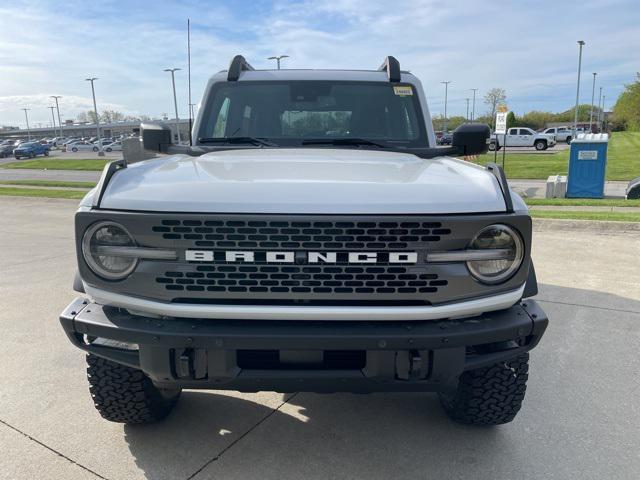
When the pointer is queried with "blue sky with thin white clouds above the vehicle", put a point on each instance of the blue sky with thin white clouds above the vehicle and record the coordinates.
(529, 48)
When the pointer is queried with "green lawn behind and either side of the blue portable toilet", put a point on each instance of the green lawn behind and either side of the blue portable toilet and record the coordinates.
(623, 160)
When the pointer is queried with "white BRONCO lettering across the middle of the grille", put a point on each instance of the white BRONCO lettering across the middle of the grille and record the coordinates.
(299, 257)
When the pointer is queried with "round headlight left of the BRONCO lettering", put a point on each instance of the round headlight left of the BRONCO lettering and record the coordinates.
(98, 251)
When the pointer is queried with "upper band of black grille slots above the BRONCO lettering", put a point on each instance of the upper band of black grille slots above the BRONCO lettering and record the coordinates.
(275, 235)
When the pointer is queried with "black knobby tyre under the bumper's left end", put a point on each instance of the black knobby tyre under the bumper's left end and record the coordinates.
(125, 395)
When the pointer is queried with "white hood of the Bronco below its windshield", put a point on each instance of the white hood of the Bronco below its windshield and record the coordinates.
(311, 181)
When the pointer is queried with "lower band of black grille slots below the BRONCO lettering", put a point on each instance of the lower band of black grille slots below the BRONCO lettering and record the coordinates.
(323, 279)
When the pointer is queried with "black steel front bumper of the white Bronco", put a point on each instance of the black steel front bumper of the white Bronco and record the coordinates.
(289, 356)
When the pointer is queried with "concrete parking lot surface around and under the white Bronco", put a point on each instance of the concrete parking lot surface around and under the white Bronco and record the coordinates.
(580, 417)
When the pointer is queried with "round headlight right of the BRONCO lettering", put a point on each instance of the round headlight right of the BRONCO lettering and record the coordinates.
(498, 238)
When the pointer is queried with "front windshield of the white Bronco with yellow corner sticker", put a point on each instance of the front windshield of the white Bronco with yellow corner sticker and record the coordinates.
(301, 112)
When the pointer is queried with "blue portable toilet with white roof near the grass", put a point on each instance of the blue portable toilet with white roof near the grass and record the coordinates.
(587, 165)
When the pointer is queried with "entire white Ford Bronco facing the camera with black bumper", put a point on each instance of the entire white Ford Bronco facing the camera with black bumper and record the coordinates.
(313, 238)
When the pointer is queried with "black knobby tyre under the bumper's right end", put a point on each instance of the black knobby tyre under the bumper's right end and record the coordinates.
(489, 396)
